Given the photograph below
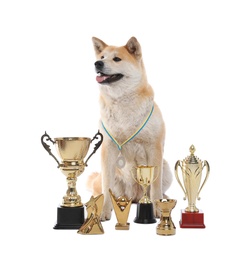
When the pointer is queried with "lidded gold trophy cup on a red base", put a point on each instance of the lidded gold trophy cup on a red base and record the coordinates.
(192, 168)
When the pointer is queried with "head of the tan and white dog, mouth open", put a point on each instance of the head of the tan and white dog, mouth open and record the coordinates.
(119, 68)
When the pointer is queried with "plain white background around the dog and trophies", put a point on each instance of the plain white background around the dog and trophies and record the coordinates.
(197, 58)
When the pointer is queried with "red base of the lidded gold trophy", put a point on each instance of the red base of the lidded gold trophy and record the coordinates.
(192, 219)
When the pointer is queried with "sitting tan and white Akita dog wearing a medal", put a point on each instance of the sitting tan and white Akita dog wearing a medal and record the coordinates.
(132, 126)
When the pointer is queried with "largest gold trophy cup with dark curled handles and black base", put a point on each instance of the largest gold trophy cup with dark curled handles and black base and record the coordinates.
(72, 150)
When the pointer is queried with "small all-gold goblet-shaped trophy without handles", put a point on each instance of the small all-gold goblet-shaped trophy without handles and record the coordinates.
(166, 226)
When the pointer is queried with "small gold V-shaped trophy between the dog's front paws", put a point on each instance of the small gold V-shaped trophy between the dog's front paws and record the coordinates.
(121, 207)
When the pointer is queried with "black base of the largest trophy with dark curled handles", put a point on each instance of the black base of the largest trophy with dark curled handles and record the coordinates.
(69, 218)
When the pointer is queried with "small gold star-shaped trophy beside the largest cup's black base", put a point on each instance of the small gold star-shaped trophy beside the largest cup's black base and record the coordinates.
(93, 225)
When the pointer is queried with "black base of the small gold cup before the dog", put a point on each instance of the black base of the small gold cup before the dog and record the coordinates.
(145, 214)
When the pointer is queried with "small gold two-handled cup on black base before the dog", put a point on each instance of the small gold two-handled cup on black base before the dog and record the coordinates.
(144, 177)
